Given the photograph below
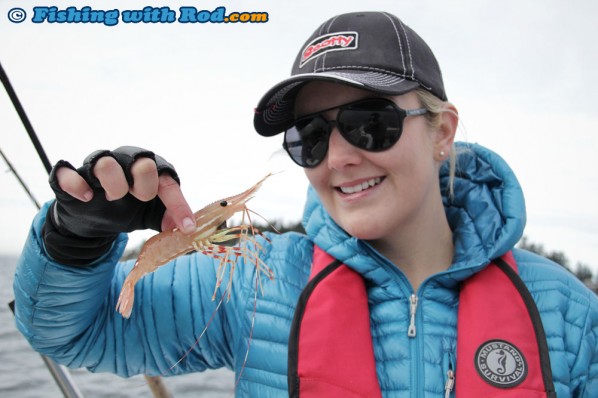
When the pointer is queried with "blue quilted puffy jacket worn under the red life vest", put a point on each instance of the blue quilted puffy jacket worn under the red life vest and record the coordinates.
(68, 313)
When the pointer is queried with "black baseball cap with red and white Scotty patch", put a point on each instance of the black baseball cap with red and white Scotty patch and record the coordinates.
(374, 51)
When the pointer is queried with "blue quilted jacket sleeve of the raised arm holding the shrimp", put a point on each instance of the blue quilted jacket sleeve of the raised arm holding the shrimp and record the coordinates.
(68, 314)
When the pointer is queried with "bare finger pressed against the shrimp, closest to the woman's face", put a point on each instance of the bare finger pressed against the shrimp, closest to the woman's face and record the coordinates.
(178, 212)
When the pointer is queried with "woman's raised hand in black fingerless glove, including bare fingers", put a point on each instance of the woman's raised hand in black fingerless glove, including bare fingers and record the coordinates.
(119, 191)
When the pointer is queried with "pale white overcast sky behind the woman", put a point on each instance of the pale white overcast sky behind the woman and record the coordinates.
(523, 74)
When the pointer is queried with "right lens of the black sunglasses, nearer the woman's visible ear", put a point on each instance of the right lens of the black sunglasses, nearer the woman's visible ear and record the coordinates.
(371, 125)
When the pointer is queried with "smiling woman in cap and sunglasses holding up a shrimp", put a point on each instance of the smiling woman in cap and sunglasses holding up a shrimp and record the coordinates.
(423, 240)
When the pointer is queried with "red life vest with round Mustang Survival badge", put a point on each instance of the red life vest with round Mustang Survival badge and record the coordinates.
(501, 347)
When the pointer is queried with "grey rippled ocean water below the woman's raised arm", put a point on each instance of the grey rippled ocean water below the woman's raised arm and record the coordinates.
(23, 373)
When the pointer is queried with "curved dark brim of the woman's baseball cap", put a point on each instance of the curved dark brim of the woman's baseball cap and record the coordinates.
(274, 112)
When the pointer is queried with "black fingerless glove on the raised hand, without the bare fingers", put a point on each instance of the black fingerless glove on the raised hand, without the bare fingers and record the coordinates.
(76, 232)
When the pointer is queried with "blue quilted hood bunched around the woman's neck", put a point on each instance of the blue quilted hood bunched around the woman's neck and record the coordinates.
(486, 215)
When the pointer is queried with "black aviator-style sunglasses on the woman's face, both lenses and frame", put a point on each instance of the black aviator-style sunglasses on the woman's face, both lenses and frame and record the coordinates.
(372, 124)
